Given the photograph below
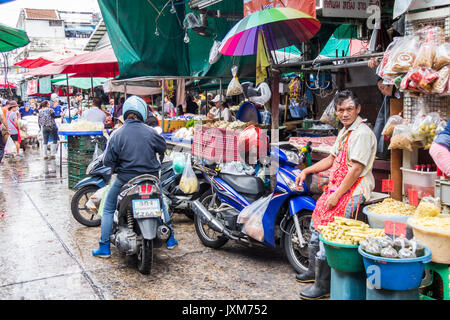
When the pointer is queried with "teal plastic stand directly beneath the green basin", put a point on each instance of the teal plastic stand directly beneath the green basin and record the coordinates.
(347, 285)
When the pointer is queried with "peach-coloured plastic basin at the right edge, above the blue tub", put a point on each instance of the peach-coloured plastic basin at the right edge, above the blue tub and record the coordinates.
(438, 241)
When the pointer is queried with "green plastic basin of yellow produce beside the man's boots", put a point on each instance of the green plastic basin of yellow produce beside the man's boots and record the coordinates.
(343, 257)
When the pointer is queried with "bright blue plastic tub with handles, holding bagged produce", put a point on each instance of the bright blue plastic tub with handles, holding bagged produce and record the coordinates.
(395, 274)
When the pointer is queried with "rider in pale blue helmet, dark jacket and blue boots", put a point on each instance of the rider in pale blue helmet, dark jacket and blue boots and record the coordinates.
(131, 151)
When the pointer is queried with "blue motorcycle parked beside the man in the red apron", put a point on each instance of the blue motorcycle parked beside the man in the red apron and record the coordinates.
(285, 222)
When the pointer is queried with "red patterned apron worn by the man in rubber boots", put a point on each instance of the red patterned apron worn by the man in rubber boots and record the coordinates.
(322, 215)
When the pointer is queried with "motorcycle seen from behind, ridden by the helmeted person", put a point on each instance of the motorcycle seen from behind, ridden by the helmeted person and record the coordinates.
(139, 225)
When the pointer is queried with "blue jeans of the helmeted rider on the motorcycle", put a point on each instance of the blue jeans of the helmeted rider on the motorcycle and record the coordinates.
(111, 206)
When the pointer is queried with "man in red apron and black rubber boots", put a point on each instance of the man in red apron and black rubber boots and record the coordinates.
(350, 184)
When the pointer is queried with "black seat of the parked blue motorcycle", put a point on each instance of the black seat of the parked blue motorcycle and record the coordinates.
(249, 187)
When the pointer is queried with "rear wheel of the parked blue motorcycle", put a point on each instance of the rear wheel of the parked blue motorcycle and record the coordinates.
(208, 237)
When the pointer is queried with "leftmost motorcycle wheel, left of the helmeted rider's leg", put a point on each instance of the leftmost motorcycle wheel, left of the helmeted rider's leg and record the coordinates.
(80, 212)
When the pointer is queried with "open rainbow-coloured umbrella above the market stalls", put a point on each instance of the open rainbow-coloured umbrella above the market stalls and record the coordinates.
(281, 27)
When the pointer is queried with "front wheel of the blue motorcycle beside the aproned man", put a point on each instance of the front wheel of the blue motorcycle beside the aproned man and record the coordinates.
(298, 257)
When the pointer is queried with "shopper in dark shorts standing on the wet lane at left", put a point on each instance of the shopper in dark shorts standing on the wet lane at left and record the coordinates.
(48, 126)
